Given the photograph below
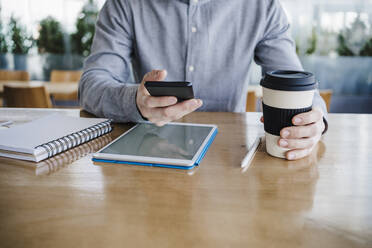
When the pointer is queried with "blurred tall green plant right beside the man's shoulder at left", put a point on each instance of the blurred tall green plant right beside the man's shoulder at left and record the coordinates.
(82, 39)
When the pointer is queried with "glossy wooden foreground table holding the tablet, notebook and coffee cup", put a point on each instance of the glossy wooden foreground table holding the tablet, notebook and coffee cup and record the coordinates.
(324, 200)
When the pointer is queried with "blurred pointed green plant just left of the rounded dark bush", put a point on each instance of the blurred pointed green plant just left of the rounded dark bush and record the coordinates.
(21, 41)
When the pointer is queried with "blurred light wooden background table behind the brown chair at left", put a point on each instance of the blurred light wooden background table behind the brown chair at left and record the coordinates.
(66, 88)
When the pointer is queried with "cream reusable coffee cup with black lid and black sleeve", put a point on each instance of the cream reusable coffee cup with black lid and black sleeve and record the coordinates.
(285, 94)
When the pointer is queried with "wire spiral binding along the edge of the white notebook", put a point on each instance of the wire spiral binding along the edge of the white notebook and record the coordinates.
(67, 142)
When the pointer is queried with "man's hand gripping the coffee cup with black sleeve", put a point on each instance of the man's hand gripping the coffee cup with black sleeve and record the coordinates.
(304, 136)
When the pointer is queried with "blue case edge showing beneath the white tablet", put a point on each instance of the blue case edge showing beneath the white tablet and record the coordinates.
(197, 162)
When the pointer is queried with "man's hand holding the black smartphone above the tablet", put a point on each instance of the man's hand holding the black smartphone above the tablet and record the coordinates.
(161, 110)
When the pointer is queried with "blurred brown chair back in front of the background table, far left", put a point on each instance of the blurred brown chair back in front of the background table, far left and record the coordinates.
(26, 96)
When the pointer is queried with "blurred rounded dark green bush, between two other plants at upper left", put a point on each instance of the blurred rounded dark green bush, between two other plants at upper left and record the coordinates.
(50, 37)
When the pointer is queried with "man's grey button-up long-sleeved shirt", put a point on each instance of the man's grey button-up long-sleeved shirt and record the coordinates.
(210, 43)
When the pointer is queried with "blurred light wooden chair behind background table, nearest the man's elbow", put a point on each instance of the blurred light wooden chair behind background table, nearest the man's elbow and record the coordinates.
(58, 76)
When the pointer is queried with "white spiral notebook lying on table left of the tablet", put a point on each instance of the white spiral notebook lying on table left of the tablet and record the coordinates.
(50, 135)
